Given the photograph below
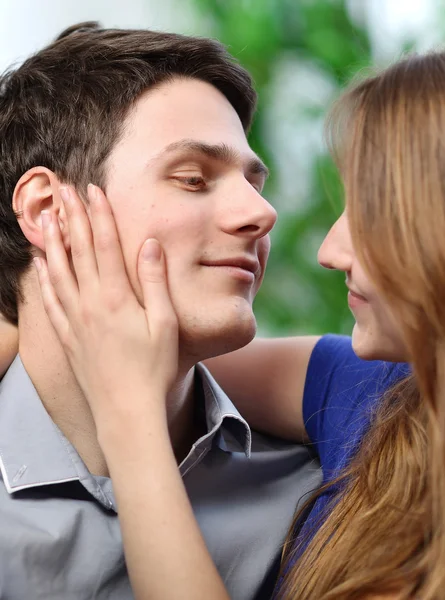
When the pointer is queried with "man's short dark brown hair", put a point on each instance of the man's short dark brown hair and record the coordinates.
(64, 109)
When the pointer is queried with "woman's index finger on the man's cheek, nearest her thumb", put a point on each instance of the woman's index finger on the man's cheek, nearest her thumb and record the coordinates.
(110, 261)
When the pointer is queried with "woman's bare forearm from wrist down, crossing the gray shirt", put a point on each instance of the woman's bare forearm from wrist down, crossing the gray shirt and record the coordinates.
(166, 555)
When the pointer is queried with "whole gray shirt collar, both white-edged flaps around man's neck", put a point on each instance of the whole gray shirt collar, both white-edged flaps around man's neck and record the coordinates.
(34, 452)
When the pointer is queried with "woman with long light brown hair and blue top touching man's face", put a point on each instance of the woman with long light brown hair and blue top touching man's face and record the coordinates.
(377, 528)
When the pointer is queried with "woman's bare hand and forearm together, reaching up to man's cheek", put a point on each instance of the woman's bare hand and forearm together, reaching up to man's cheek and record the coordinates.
(119, 350)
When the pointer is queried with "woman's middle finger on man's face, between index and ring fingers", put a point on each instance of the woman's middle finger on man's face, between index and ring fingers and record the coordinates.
(81, 239)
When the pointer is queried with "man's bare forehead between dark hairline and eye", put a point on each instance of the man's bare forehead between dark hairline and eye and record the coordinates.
(186, 118)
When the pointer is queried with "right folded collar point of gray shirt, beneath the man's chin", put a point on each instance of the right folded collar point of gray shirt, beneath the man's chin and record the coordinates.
(222, 417)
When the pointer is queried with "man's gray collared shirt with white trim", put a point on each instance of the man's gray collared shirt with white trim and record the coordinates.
(59, 530)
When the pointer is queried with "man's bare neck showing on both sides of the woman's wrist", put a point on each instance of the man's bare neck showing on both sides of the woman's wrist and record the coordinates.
(50, 372)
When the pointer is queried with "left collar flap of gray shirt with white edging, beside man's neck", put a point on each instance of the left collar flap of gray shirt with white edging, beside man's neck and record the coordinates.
(33, 450)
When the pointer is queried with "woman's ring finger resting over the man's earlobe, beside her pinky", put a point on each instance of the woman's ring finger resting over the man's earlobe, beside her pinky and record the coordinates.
(59, 272)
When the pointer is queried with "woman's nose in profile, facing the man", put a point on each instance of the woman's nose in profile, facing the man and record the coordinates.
(336, 251)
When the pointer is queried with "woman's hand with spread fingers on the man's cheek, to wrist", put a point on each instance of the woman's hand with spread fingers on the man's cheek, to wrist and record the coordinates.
(115, 346)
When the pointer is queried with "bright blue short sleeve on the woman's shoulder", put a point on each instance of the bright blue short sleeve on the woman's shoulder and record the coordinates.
(341, 390)
